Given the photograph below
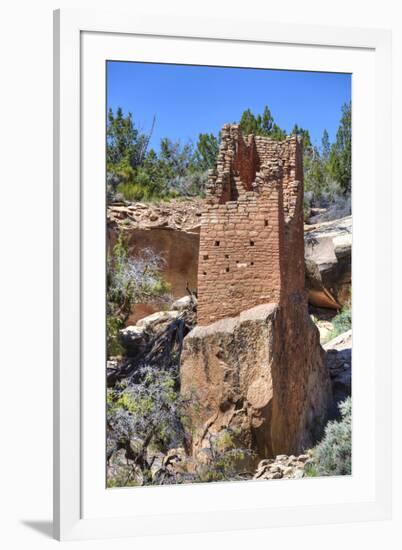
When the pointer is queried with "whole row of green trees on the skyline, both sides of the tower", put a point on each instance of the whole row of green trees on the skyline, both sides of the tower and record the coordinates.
(135, 173)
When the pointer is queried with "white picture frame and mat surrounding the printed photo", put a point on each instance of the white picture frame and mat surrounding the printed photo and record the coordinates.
(83, 508)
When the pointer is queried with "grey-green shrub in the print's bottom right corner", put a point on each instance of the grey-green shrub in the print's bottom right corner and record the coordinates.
(333, 455)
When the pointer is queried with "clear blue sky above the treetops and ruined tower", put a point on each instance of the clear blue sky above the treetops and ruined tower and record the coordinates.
(188, 100)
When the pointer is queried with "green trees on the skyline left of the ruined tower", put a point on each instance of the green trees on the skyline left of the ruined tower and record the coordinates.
(135, 173)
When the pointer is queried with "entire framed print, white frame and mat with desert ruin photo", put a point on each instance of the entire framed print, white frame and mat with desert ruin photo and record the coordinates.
(210, 177)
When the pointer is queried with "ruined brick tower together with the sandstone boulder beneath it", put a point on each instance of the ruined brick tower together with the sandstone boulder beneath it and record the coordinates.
(253, 364)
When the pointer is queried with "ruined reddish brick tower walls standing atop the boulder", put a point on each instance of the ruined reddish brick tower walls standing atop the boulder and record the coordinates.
(251, 241)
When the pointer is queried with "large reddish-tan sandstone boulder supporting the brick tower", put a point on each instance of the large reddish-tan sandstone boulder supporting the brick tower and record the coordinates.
(260, 374)
